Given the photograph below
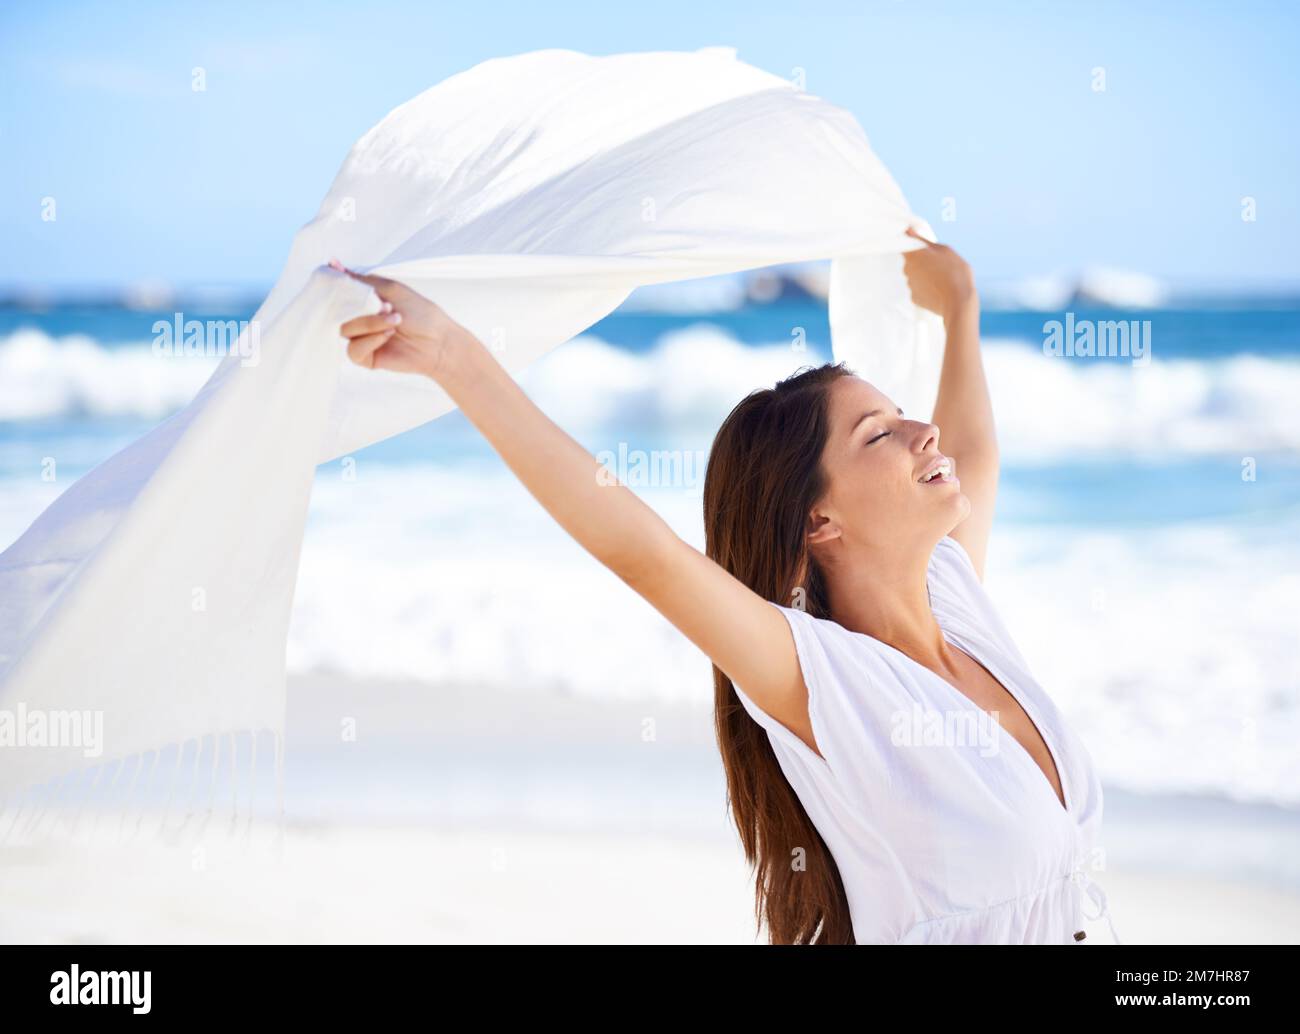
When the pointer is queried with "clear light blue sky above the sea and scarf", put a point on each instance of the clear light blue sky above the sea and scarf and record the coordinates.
(991, 105)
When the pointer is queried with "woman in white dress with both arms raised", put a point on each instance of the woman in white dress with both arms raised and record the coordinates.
(842, 605)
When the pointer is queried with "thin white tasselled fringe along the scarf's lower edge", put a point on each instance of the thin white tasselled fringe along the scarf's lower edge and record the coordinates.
(127, 801)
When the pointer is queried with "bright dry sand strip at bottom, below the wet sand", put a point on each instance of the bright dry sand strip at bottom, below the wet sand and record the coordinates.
(409, 885)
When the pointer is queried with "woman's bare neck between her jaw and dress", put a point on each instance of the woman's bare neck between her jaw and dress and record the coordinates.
(885, 595)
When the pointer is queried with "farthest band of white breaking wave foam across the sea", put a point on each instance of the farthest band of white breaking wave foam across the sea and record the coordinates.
(1243, 405)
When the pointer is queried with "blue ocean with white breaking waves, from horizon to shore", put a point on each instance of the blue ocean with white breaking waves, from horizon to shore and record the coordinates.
(1145, 555)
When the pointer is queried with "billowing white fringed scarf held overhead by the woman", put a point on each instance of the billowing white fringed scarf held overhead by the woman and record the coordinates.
(528, 197)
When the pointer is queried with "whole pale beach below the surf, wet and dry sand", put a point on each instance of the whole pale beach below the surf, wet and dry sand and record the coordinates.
(482, 817)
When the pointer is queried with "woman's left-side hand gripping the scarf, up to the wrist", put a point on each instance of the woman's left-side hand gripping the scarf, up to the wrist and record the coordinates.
(409, 335)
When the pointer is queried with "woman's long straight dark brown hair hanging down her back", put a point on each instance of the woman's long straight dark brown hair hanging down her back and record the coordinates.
(764, 477)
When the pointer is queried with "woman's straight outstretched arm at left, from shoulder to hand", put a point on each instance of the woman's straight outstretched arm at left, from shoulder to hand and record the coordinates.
(749, 641)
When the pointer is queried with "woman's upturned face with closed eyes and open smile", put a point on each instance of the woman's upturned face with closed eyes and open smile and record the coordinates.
(877, 462)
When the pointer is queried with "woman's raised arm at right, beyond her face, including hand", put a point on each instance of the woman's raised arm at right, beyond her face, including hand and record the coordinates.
(943, 283)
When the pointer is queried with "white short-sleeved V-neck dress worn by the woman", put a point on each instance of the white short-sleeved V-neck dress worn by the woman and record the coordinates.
(939, 837)
